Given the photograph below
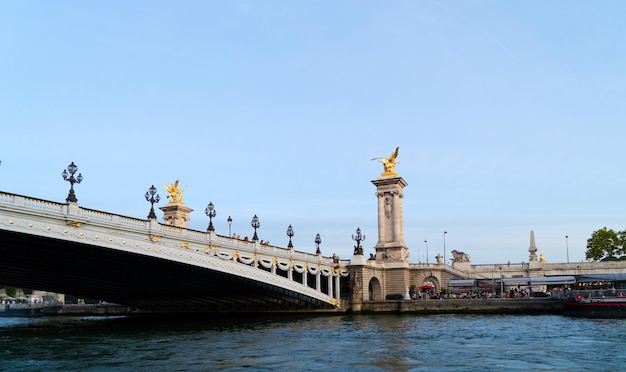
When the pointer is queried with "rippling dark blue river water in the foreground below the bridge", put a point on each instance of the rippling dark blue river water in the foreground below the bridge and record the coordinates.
(344, 342)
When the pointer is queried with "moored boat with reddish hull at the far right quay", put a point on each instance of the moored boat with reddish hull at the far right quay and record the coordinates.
(595, 304)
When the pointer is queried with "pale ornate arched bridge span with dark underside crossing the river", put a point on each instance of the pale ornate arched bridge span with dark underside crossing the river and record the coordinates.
(152, 267)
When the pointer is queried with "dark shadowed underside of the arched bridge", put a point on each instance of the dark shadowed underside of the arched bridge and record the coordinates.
(144, 283)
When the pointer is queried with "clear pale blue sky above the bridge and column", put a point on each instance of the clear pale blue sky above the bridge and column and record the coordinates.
(509, 116)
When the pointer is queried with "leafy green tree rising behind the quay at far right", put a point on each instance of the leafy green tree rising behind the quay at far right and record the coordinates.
(606, 245)
